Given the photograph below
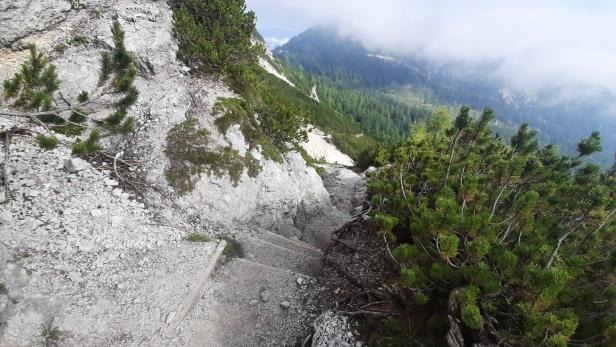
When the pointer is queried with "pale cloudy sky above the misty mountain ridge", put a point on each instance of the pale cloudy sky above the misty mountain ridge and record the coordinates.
(568, 46)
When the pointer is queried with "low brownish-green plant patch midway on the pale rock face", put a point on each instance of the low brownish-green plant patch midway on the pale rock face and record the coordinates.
(188, 157)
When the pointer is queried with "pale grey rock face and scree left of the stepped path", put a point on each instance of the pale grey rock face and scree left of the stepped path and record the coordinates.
(81, 253)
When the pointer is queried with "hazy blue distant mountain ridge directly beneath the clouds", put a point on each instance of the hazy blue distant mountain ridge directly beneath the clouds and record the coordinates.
(319, 51)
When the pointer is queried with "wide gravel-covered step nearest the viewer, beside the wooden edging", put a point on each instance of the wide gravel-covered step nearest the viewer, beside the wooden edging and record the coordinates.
(255, 305)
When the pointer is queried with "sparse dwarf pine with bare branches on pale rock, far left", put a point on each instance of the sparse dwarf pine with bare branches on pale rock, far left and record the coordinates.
(31, 94)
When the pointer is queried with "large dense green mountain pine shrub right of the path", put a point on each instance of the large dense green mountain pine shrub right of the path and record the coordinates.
(526, 237)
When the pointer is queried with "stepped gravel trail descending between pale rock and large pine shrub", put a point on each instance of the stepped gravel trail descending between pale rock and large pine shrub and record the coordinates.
(277, 293)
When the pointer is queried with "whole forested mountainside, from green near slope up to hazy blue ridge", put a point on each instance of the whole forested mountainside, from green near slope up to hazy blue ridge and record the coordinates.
(343, 68)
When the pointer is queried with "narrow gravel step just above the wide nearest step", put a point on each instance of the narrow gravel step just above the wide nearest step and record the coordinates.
(267, 253)
